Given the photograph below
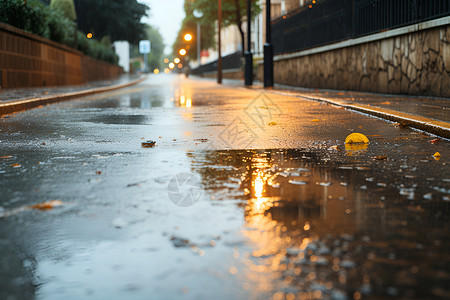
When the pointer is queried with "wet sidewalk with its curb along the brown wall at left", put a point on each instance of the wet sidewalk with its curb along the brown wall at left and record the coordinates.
(13, 100)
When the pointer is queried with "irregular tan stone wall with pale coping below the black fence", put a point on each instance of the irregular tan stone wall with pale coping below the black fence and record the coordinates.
(414, 61)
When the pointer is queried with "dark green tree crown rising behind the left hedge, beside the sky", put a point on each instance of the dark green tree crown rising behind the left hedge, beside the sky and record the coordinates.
(119, 19)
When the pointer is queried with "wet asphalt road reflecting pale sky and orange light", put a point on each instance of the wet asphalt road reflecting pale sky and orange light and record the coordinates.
(243, 196)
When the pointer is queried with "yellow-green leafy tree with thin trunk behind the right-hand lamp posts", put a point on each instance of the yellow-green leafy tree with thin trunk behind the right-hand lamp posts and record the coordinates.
(234, 12)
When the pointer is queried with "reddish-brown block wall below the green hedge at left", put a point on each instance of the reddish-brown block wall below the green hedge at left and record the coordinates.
(27, 60)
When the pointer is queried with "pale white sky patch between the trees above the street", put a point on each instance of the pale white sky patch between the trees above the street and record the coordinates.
(166, 15)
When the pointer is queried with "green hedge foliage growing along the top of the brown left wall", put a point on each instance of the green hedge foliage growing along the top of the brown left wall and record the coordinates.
(51, 23)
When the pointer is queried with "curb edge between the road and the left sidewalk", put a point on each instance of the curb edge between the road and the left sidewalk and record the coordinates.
(26, 104)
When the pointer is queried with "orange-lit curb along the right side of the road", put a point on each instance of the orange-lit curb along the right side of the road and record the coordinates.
(439, 128)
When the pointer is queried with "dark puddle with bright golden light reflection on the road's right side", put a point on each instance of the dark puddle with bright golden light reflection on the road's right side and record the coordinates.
(333, 229)
